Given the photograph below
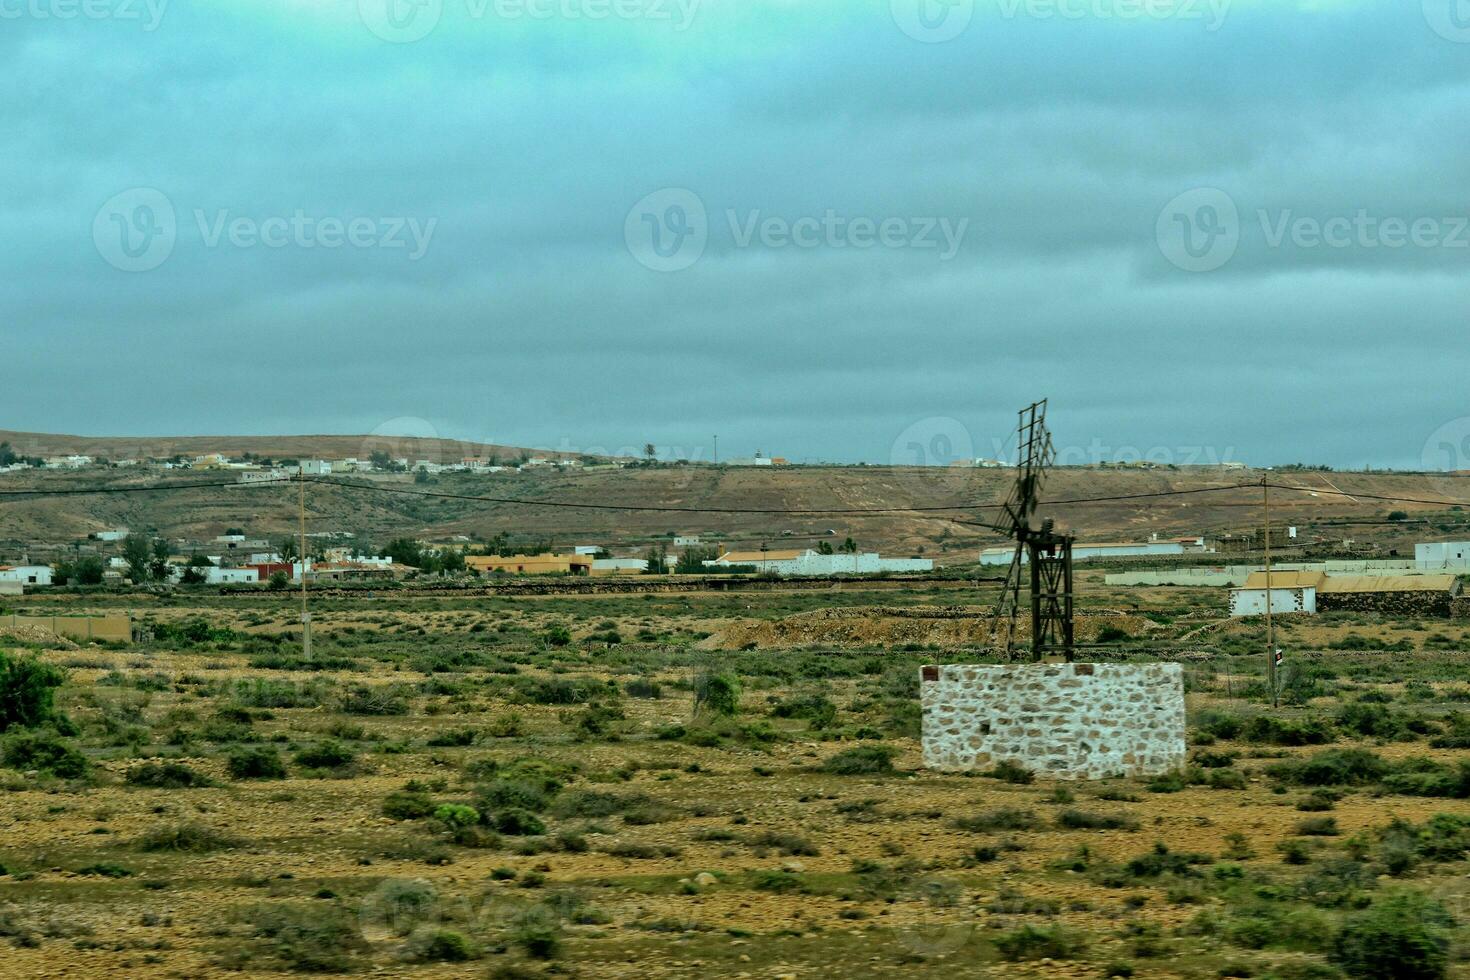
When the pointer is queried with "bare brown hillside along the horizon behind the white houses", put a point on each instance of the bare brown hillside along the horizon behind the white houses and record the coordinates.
(202, 514)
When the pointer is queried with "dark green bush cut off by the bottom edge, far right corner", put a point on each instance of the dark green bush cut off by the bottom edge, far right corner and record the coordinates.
(1402, 937)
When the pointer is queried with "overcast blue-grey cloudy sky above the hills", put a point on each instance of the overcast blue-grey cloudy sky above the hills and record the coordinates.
(849, 230)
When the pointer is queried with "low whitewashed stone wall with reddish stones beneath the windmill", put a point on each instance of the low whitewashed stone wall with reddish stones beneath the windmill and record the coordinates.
(1058, 721)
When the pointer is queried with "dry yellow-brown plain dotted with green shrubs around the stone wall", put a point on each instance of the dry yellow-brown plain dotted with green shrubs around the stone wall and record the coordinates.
(599, 787)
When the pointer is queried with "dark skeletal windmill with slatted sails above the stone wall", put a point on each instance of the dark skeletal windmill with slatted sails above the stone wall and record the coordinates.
(1047, 553)
